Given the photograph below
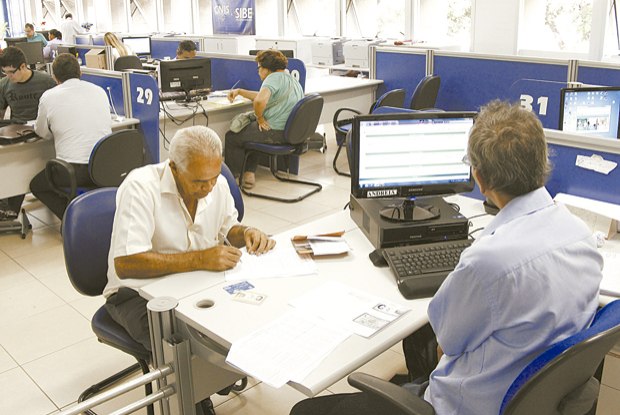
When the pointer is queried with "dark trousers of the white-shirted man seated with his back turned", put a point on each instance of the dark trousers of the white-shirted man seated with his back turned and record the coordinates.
(42, 189)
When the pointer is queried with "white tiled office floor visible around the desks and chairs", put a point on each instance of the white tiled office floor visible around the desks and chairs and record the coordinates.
(48, 353)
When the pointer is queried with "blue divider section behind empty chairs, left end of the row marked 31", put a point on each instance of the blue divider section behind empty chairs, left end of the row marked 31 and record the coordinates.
(399, 69)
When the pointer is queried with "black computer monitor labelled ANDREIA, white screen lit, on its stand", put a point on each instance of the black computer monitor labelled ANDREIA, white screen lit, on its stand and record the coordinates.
(408, 155)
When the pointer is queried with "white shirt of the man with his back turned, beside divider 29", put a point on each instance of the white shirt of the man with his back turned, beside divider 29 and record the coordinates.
(76, 114)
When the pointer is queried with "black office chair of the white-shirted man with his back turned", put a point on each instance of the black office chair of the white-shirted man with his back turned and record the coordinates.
(112, 158)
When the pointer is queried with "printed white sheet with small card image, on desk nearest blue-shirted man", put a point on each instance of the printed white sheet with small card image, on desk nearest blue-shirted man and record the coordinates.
(361, 313)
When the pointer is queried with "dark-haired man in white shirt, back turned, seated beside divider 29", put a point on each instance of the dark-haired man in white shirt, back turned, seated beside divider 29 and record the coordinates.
(76, 114)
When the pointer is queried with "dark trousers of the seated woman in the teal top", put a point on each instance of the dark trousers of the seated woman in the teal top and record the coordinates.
(234, 149)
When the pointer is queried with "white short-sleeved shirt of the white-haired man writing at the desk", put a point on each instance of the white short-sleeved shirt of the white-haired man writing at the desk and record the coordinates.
(151, 216)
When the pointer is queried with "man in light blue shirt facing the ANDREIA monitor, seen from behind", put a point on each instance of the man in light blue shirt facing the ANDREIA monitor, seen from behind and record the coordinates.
(530, 279)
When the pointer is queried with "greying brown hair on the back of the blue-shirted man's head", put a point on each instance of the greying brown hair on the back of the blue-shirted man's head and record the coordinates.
(508, 149)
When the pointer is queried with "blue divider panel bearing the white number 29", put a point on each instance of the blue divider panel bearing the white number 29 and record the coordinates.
(145, 107)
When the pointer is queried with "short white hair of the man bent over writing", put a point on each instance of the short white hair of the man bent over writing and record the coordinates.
(195, 141)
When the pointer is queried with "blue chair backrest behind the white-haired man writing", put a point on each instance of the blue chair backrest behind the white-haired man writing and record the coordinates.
(86, 231)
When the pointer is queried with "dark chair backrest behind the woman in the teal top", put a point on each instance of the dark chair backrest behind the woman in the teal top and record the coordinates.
(303, 120)
